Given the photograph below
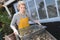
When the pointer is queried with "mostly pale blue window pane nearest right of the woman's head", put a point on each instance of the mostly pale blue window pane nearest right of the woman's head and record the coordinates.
(32, 9)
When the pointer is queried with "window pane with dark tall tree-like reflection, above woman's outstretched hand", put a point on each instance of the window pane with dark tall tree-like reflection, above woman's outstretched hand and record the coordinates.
(41, 9)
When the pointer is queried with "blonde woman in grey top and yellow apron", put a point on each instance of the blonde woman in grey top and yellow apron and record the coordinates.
(21, 19)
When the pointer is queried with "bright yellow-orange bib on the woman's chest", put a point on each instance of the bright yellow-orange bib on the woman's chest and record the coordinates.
(23, 23)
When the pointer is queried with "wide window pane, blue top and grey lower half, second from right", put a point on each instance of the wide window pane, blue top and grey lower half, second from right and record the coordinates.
(52, 12)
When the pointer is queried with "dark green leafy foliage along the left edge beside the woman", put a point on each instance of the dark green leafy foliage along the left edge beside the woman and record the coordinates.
(4, 23)
